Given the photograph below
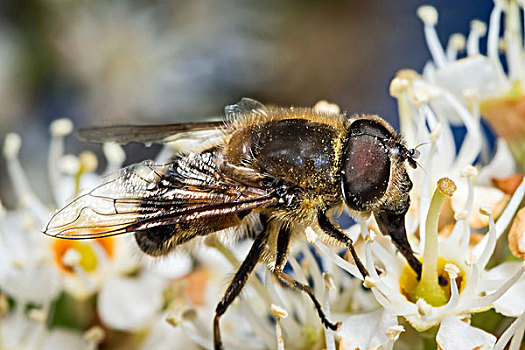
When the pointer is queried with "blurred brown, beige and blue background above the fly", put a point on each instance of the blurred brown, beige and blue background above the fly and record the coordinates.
(101, 62)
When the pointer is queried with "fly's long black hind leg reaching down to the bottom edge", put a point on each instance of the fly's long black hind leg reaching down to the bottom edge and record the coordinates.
(237, 284)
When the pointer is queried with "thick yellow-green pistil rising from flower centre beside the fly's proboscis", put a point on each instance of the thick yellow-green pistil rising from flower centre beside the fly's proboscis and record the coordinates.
(429, 287)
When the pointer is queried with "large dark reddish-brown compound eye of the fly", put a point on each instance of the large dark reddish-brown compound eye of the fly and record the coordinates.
(365, 172)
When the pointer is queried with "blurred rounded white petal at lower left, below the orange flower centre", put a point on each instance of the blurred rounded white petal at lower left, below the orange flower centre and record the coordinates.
(130, 303)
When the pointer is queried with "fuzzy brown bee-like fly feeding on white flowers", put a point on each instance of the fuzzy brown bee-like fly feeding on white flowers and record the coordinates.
(282, 168)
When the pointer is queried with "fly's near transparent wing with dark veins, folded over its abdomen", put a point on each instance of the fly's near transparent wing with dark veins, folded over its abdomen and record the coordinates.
(148, 195)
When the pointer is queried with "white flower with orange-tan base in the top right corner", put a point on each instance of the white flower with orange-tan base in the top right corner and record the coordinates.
(479, 82)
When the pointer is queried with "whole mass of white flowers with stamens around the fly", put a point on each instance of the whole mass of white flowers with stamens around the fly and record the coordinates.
(86, 294)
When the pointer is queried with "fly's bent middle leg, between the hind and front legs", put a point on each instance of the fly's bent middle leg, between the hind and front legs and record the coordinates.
(283, 241)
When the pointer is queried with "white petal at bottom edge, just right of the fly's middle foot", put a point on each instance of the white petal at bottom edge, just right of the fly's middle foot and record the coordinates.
(366, 331)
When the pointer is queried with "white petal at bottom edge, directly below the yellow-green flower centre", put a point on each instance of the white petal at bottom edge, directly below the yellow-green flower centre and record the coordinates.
(455, 334)
